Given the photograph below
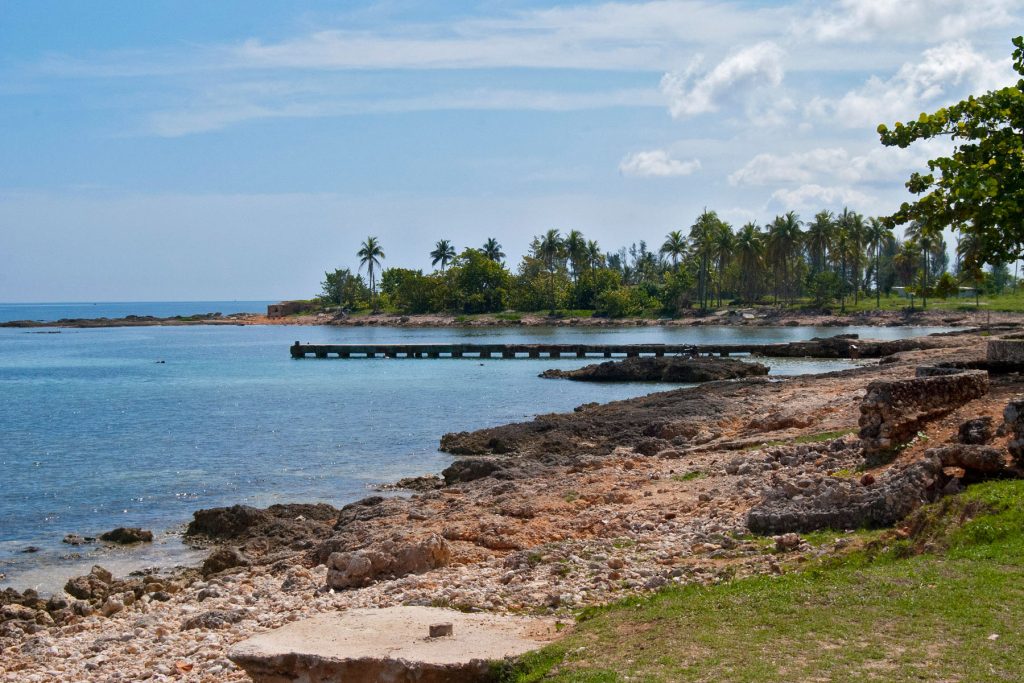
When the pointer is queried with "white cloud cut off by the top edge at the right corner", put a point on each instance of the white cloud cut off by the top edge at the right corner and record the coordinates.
(862, 21)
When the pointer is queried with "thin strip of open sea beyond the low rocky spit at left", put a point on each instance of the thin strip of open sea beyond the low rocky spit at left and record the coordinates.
(58, 312)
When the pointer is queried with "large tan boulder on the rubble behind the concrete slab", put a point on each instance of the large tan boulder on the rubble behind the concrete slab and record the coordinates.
(395, 558)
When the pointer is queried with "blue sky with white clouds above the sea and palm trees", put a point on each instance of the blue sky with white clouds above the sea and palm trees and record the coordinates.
(190, 150)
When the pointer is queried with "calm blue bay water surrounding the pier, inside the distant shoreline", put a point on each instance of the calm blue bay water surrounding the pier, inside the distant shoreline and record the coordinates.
(97, 434)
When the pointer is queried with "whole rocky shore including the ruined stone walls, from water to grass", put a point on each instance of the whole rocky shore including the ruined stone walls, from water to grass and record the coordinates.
(549, 516)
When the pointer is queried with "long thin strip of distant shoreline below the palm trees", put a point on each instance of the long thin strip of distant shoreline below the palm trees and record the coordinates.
(743, 318)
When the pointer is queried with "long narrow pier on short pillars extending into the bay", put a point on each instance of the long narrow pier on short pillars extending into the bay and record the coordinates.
(517, 351)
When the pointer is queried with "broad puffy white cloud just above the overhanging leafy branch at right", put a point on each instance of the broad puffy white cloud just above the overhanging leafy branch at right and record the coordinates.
(946, 74)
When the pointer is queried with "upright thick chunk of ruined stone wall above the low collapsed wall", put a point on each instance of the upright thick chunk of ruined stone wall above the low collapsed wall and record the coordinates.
(893, 411)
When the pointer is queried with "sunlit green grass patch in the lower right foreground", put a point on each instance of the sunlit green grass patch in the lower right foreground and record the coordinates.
(945, 605)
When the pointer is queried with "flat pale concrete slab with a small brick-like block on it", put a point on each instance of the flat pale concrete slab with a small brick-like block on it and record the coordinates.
(391, 646)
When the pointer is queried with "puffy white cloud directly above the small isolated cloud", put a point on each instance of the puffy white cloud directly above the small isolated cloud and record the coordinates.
(741, 76)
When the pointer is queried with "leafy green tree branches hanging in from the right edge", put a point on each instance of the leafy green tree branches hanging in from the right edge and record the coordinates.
(980, 187)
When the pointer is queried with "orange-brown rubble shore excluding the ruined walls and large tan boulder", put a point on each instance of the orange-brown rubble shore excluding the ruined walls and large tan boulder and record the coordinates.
(550, 516)
